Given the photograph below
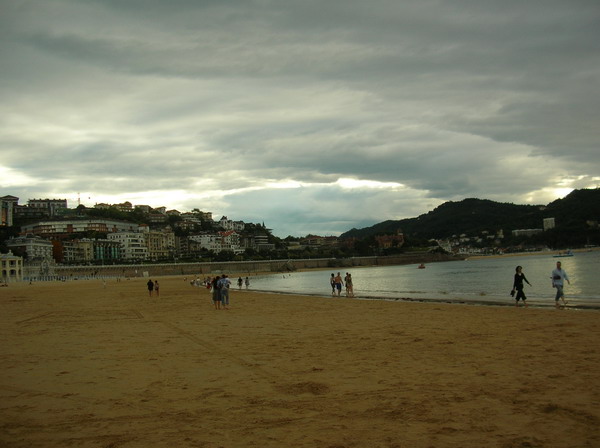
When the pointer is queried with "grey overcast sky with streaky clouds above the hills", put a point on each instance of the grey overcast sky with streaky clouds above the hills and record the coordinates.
(310, 116)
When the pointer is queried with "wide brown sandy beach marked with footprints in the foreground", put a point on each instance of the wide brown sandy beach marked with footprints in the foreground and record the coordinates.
(87, 366)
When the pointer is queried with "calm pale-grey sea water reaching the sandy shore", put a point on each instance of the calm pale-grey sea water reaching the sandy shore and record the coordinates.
(483, 280)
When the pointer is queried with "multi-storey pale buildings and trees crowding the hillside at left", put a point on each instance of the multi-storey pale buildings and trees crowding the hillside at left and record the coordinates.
(127, 233)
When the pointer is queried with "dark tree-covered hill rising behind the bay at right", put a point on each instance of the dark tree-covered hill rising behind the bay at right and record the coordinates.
(472, 216)
